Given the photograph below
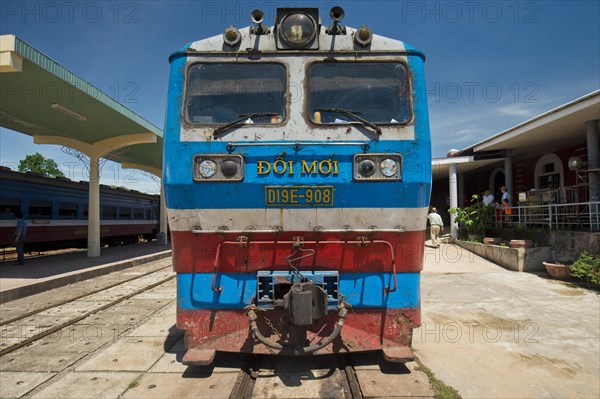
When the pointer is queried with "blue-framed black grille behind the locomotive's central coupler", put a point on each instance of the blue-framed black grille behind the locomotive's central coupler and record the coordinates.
(273, 285)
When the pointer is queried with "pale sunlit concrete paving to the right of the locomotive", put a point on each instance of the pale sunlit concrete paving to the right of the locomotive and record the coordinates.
(493, 333)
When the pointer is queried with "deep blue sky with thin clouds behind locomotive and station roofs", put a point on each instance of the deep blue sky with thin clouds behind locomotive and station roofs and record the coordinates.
(490, 64)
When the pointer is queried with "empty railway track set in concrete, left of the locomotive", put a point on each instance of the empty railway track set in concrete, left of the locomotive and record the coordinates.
(30, 326)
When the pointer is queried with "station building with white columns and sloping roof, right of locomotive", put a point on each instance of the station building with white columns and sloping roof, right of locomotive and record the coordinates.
(550, 165)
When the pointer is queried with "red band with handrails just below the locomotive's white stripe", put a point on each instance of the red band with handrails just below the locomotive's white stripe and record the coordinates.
(196, 253)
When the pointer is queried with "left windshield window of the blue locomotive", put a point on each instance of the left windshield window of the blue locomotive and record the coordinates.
(222, 93)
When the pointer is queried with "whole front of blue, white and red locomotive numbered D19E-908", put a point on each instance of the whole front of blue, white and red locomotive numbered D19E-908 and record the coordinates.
(297, 179)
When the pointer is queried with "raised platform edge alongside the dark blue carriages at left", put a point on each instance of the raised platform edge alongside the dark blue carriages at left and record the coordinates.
(48, 272)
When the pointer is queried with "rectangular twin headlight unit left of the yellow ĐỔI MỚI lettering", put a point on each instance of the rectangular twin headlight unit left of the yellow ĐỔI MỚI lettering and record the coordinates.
(218, 167)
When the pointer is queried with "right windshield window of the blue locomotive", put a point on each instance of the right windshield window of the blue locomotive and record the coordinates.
(376, 92)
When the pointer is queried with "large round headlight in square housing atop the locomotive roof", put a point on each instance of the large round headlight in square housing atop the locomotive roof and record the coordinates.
(297, 28)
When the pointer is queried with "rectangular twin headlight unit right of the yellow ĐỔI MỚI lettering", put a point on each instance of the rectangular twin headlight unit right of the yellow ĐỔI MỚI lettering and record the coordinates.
(377, 167)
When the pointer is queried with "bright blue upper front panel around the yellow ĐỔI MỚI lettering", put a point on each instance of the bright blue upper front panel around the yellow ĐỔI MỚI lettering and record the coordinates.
(183, 193)
